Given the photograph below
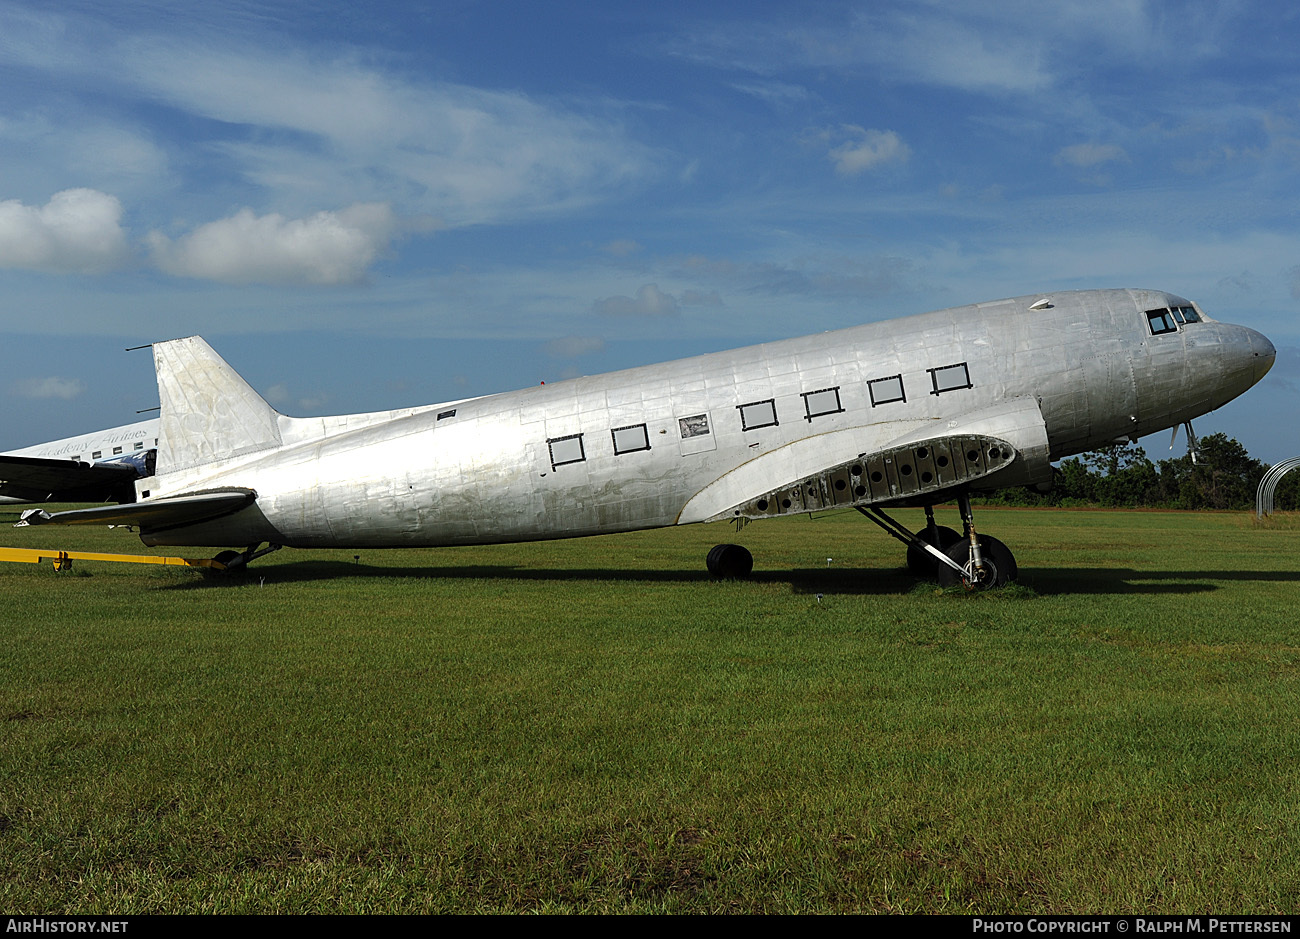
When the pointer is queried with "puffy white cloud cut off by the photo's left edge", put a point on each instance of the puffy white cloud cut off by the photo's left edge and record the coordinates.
(79, 231)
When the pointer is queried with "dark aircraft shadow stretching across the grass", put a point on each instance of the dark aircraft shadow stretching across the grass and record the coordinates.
(1046, 582)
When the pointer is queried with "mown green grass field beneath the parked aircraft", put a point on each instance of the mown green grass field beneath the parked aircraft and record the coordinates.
(596, 726)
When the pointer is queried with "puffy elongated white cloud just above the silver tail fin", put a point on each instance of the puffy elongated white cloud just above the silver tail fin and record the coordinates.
(326, 249)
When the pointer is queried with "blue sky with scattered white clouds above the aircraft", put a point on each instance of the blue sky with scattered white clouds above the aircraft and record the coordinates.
(385, 205)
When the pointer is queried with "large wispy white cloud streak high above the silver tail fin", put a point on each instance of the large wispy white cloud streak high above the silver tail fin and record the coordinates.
(466, 155)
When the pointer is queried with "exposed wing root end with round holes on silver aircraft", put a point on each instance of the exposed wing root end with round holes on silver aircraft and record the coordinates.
(902, 473)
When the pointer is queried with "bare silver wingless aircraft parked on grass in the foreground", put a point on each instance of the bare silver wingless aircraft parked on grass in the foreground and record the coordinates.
(915, 412)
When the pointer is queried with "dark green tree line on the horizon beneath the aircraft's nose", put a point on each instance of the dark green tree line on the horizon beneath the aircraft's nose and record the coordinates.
(1223, 477)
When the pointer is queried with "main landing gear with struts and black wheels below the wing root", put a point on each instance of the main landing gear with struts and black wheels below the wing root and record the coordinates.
(972, 560)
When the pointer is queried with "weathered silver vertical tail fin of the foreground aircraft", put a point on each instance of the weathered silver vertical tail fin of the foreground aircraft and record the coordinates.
(209, 413)
